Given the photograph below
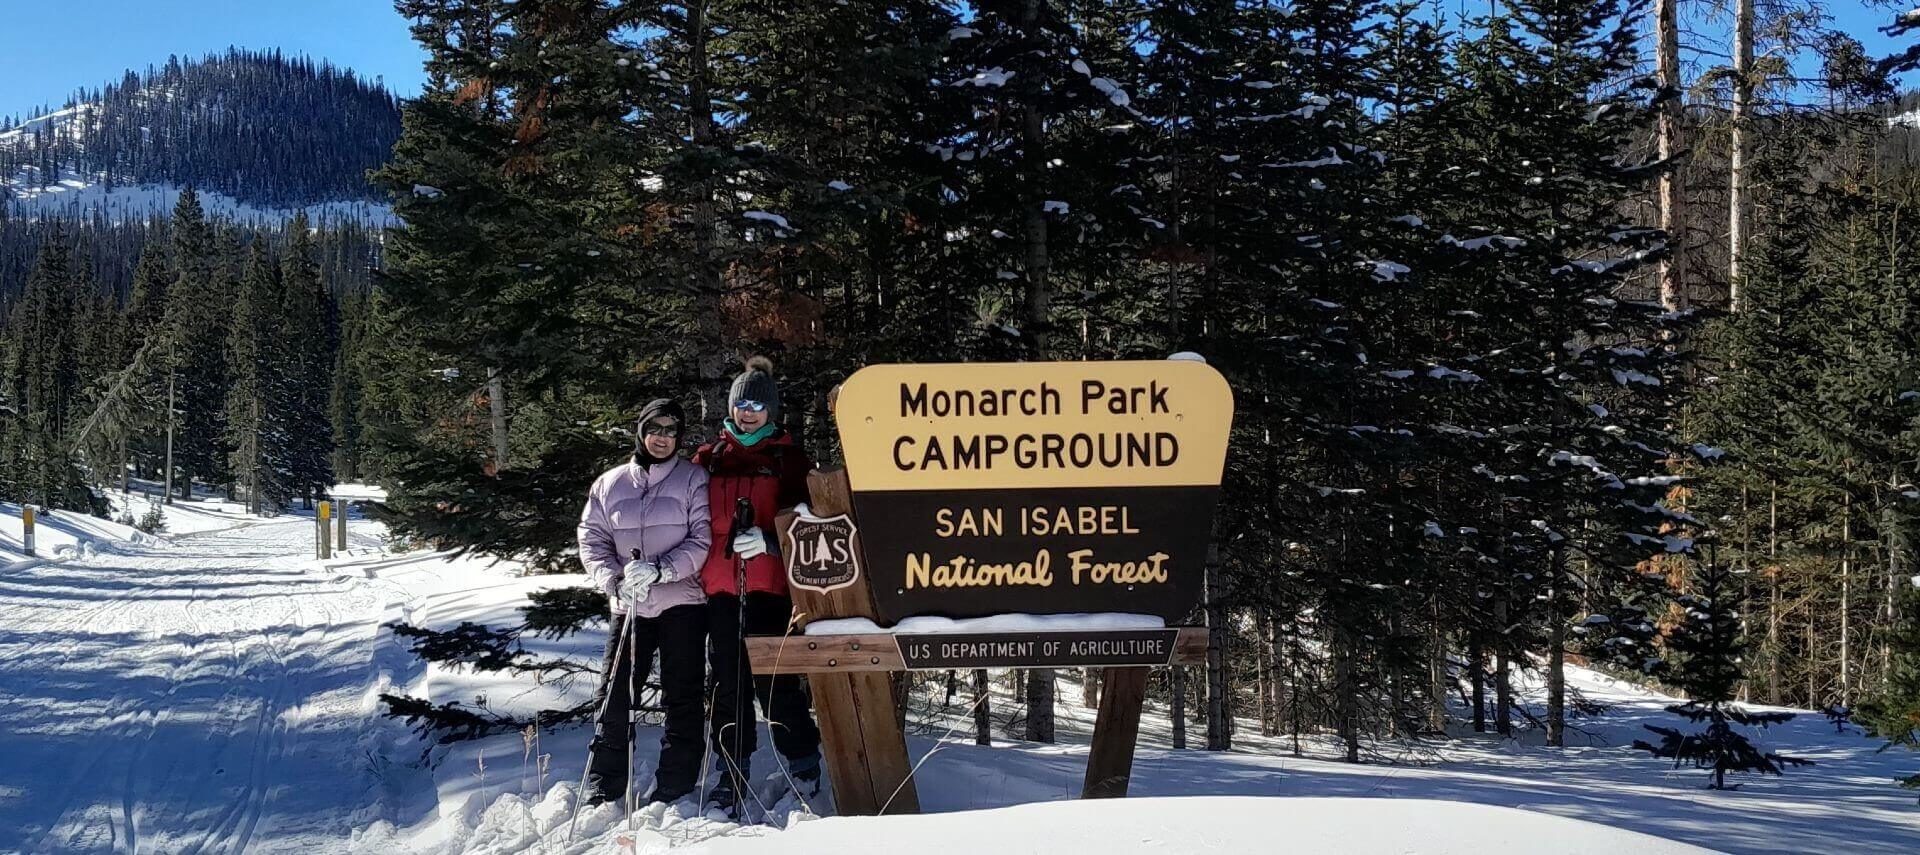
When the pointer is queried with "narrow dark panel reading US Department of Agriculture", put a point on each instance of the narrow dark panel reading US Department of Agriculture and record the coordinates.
(1040, 650)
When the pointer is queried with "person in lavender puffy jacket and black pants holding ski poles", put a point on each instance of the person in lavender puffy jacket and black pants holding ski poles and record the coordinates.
(644, 537)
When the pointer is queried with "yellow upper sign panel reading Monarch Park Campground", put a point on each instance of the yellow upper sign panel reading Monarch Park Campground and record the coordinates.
(1036, 426)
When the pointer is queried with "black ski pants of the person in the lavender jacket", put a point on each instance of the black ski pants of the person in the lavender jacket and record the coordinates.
(679, 635)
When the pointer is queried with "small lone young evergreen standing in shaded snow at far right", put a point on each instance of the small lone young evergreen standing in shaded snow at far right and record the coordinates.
(1704, 650)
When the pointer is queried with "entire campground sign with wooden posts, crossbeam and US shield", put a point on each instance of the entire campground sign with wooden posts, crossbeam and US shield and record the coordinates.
(980, 491)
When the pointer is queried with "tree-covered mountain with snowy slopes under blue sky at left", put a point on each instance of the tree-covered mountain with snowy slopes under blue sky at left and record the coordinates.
(256, 134)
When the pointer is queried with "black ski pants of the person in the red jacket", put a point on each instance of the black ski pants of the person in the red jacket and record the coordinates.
(782, 698)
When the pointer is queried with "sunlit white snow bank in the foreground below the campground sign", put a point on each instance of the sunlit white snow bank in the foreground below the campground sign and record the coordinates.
(1172, 825)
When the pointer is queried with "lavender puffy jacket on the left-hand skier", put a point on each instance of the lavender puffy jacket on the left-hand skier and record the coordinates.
(660, 510)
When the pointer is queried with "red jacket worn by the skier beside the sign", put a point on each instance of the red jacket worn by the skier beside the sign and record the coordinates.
(773, 476)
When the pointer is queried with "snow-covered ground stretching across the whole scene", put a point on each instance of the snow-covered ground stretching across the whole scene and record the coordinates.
(216, 691)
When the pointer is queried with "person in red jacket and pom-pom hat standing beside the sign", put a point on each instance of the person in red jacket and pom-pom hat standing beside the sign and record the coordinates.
(754, 460)
